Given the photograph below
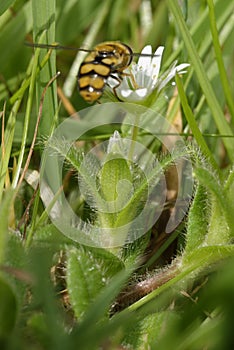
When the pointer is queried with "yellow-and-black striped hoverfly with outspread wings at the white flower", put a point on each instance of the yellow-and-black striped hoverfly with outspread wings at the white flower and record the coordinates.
(105, 60)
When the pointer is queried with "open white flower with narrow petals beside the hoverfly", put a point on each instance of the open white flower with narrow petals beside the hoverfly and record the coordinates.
(146, 76)
